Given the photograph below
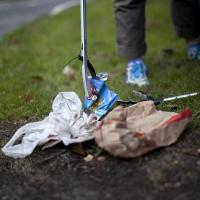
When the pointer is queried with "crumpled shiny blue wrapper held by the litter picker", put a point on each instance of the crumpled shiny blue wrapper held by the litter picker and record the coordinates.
(106, 98)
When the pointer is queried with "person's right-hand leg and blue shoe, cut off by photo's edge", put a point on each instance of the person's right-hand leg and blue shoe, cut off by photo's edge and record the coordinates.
(186, 19)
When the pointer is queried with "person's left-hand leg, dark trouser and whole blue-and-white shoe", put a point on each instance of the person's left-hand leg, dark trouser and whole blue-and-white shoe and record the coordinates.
(130, 30)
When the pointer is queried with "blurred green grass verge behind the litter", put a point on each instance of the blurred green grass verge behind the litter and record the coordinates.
(32, 59)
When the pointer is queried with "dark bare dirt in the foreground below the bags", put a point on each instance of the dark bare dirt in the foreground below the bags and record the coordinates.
(59, 173)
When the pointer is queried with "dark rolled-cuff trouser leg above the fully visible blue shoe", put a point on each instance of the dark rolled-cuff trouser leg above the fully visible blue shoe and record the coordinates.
(130, 28)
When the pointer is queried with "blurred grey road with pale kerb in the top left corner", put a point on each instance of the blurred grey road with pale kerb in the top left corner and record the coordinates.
(14, 13)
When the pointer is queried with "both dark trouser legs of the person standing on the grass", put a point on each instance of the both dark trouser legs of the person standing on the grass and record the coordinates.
(130, 24)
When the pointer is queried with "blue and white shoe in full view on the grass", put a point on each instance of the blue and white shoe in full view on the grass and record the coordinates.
(136, 73)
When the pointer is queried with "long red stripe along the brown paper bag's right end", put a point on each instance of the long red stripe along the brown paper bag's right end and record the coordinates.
(187, 113)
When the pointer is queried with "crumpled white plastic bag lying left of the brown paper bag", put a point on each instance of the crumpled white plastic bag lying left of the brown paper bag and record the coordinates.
(67, 123)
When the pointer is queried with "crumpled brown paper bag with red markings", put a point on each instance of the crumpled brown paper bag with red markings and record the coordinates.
(138, 129)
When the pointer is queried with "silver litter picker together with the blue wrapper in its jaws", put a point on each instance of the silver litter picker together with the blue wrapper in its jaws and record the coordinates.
(98, 97)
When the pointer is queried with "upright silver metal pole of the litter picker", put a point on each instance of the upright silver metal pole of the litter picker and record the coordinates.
(84, 45)
